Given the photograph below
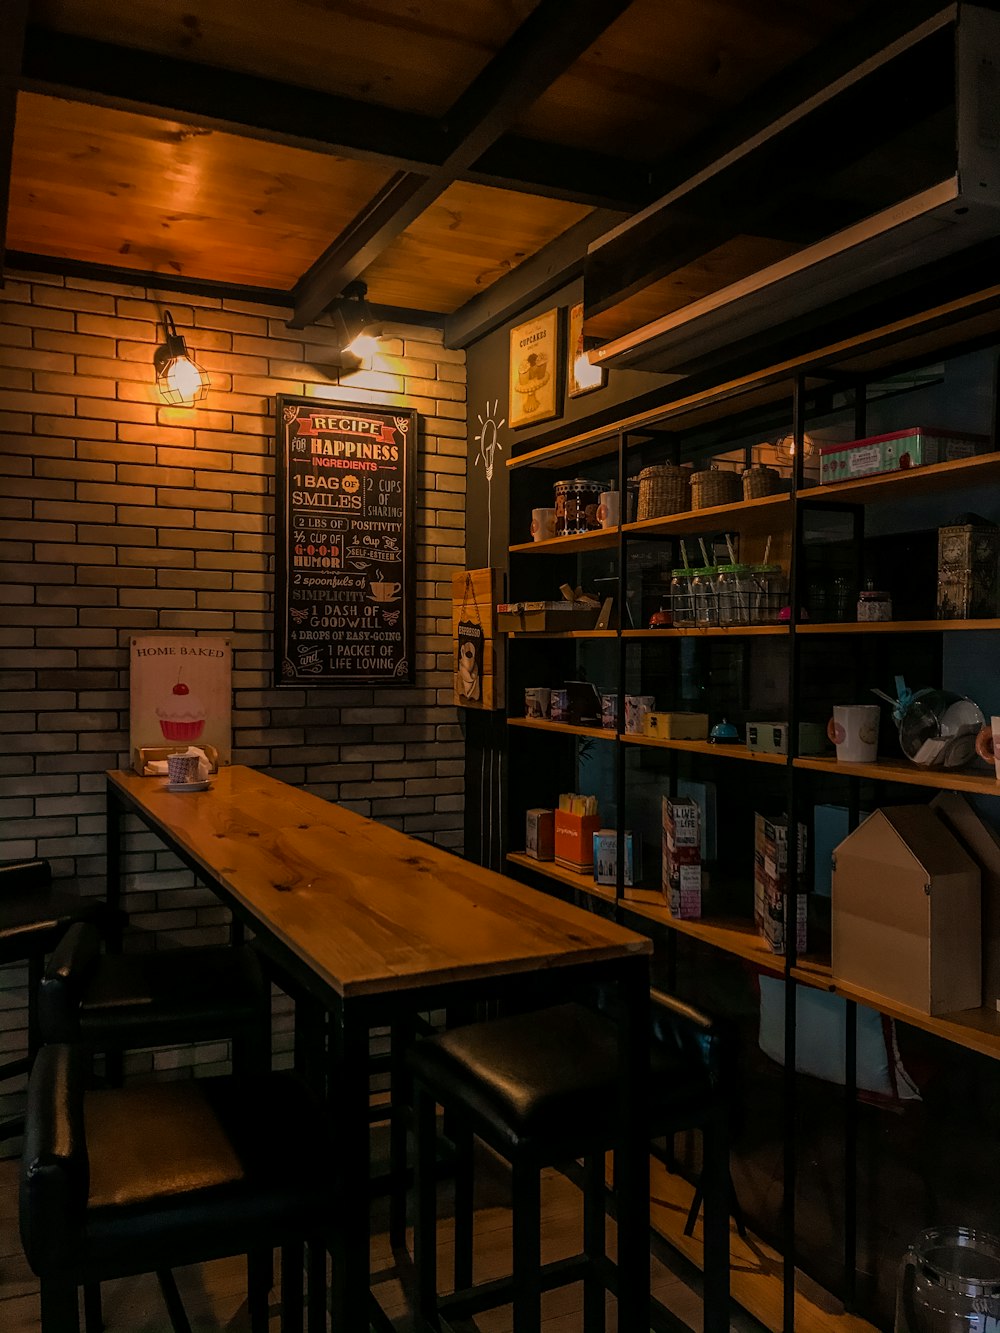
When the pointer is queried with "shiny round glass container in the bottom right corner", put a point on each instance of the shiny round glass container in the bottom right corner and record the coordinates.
(950, 1283)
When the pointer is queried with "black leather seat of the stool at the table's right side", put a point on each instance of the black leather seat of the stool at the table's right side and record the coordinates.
(551, 1076)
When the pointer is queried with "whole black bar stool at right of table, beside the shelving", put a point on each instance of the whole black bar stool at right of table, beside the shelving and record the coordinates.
(541, 1090)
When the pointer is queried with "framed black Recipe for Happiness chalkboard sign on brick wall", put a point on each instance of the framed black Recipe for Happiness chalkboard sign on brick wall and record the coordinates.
(345, 569)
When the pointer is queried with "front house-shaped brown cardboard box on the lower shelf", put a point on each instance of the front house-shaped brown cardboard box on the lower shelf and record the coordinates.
(907, 912)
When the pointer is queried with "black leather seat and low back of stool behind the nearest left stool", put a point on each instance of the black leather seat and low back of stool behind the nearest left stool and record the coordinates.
(122, 1002)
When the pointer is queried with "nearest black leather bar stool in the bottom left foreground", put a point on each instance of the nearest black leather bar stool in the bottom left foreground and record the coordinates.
(151, 1178)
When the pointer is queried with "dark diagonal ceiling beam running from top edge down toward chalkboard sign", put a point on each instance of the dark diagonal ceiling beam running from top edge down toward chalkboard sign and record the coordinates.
(550, 41)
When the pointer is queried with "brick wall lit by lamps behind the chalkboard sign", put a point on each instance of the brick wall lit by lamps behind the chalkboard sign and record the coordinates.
(121, 517)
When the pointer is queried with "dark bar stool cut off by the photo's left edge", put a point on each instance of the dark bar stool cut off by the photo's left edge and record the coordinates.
(34, 918)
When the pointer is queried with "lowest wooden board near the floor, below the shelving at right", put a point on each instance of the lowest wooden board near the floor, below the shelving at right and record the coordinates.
(755, 1268)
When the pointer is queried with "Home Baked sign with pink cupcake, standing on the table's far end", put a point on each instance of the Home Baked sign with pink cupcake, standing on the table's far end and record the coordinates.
(181, 698)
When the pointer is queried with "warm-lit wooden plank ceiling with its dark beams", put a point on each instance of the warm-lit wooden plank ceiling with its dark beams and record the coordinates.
(455, 155)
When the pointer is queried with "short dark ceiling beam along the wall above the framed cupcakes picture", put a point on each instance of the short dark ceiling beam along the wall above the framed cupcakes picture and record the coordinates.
(538, 278)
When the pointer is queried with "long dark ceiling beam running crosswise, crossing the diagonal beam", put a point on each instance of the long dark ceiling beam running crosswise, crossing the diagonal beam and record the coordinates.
(147, 83)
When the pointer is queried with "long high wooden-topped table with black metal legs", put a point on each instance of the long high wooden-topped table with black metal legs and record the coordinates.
(375, 926)
